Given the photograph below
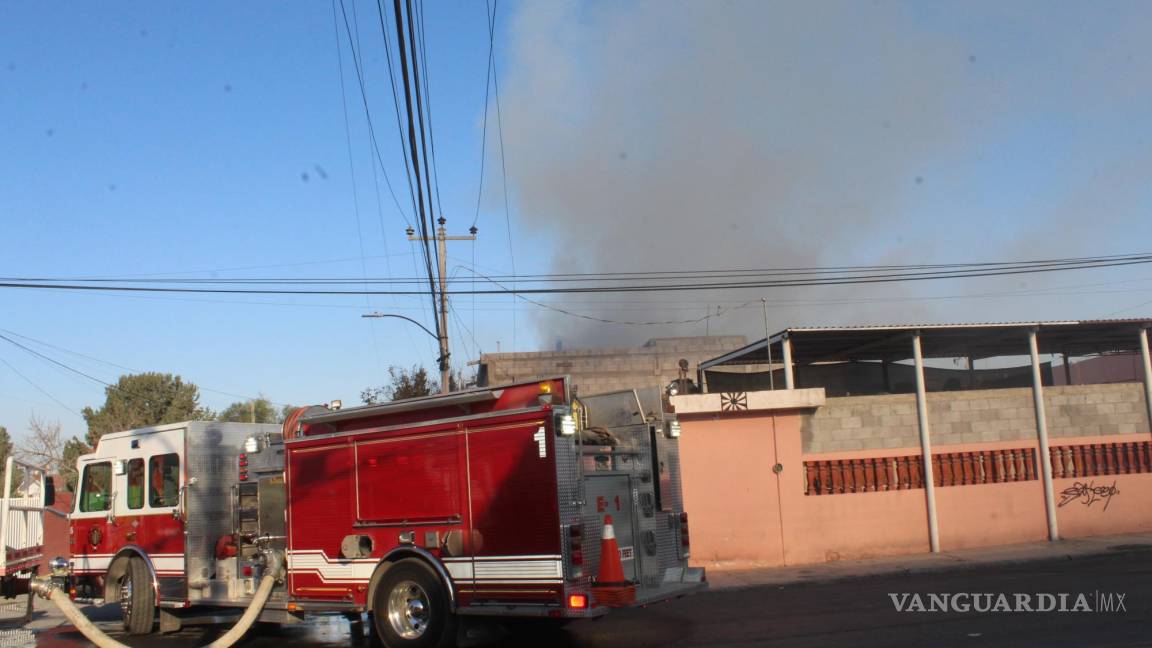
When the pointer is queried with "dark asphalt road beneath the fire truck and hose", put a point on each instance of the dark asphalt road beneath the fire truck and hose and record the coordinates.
(848, 613)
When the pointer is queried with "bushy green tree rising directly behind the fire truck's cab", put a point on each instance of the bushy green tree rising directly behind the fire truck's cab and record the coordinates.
(145, 400)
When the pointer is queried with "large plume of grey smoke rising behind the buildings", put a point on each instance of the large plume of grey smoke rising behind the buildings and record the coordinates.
(661, 135)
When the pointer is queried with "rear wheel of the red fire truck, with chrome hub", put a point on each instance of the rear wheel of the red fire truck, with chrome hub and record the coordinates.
(411, 608)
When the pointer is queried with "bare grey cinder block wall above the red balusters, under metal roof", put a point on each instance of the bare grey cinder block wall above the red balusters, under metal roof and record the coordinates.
(873, 423)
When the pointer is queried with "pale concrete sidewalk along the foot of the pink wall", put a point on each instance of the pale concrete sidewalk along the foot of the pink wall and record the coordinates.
(741, 576)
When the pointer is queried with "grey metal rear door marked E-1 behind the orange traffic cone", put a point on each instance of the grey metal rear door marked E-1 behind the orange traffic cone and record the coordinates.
(612, 495)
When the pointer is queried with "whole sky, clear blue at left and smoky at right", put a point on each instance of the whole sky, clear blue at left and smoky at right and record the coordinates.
(175, 140)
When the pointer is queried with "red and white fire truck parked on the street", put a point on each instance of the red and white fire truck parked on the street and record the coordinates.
(423, 513)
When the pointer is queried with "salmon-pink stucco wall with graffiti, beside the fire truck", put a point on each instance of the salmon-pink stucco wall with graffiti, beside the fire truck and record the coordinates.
(742, 513)
